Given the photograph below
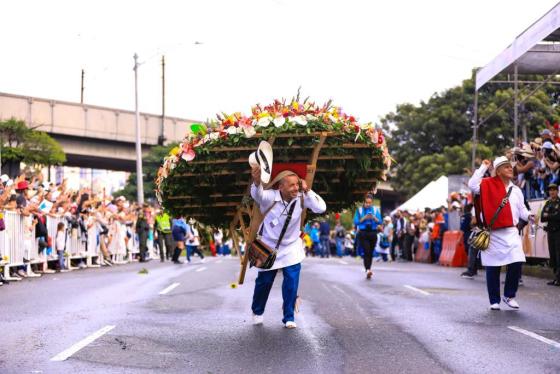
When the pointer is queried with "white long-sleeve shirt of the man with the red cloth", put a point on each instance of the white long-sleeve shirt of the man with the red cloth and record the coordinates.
(505, 244)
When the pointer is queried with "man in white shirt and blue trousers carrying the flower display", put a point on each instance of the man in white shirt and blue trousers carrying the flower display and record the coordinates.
(289, 194)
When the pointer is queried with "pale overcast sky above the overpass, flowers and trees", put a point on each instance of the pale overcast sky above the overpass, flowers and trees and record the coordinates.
(368, 56)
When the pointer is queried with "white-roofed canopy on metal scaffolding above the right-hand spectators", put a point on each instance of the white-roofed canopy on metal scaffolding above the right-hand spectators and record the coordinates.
(532, 52)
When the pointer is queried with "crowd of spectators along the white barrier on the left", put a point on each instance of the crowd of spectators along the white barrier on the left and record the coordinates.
(113, 224)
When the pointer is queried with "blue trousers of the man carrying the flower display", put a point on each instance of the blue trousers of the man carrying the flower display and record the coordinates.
(290, 285)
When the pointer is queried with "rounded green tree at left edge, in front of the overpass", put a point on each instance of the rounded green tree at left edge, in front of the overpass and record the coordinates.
(20, 143)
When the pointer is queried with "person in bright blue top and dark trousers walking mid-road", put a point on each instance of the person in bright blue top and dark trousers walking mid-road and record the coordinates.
(366, 219)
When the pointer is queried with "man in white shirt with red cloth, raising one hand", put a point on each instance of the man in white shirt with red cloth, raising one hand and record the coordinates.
(505, 246)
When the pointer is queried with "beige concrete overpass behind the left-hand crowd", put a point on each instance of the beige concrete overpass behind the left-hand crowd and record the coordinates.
(92, 136)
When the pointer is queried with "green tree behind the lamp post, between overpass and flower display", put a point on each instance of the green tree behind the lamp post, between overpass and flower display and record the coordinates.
(150, 165)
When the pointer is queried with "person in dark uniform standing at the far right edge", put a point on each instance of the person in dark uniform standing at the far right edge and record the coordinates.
(551, 215)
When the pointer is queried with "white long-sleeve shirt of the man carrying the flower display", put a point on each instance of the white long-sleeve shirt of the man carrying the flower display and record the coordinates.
(291, 249)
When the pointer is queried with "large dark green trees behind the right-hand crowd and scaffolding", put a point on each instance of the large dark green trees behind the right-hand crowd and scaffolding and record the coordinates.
(433, 138)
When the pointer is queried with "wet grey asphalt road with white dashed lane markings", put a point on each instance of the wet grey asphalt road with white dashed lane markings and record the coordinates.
(410, 318)
